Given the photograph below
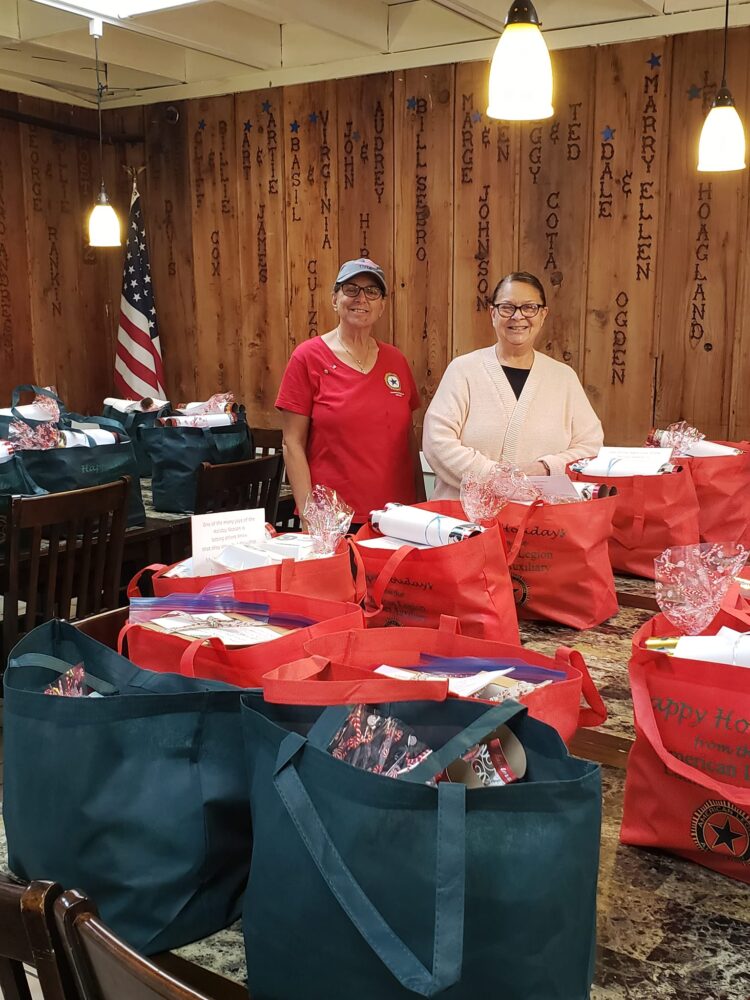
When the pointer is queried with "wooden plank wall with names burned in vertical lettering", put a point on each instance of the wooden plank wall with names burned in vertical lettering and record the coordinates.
(252, 200)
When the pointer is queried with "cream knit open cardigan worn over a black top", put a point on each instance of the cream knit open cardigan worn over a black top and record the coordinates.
(474, 419)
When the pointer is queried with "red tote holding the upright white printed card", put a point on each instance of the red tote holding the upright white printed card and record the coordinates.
(340, 577)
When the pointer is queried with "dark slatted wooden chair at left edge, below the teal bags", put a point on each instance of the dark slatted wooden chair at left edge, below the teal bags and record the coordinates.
(63, 556)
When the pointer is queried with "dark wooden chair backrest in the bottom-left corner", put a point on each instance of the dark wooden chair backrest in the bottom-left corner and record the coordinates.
(28, 935)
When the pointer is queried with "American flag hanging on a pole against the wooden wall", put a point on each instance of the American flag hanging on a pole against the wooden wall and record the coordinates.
(138, 366)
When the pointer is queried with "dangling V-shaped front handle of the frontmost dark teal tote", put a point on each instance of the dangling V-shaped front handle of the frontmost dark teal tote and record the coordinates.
(450, 880)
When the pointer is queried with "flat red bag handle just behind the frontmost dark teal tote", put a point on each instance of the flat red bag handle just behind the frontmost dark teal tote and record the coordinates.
(314, 680)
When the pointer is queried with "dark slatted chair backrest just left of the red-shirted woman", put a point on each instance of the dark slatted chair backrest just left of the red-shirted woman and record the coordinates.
(254, 482)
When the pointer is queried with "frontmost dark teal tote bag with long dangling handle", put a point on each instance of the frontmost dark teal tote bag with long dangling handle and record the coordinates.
(388, 887)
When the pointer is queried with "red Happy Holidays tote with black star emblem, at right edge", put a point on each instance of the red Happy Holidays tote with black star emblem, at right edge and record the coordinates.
(687, 787)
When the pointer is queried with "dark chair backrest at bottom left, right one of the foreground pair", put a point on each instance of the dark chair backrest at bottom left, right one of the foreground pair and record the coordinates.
(105, 967)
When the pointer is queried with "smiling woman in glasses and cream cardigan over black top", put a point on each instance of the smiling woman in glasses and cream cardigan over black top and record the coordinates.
(509, 401)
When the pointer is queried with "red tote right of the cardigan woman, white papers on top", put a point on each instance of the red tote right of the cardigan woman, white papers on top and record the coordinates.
(652, 513)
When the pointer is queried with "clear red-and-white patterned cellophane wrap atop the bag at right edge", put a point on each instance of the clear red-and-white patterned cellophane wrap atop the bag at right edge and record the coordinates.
(692, 580)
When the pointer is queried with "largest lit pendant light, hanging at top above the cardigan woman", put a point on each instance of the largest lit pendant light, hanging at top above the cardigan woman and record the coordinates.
(521, 71)
